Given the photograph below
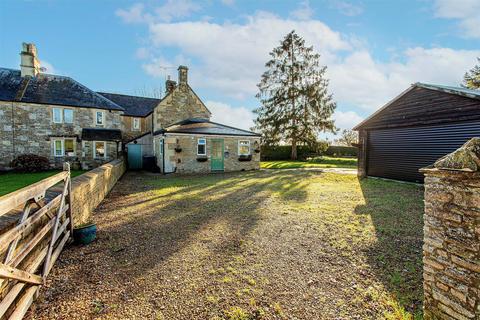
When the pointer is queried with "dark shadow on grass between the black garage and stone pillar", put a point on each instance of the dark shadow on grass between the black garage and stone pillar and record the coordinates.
(396, 211)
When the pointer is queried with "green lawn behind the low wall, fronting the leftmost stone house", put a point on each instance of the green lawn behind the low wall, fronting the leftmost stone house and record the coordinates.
(10, 182)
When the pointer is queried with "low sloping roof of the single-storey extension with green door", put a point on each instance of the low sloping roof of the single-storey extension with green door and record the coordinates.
(205, 127)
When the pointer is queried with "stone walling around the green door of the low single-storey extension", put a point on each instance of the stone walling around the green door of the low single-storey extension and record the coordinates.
(186, 160)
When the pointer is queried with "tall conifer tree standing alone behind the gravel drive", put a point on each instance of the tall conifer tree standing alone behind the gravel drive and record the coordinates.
(293, 91)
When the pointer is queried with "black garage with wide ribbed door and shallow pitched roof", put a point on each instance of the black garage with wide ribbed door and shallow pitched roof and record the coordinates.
(416, 128)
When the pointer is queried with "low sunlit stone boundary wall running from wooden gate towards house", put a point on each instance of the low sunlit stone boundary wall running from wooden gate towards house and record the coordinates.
(90, 188)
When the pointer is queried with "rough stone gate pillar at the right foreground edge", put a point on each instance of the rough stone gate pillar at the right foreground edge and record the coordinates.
(451, 251)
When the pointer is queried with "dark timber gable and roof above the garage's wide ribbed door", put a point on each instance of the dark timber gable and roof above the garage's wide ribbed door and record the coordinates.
(424, 104)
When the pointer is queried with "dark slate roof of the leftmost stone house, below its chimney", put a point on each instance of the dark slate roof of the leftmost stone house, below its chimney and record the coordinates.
(50, 89)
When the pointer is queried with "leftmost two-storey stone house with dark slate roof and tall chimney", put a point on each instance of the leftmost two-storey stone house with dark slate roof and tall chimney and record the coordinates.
(56, 117)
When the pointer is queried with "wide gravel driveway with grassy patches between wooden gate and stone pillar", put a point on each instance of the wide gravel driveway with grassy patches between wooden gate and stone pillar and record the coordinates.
(254, 245)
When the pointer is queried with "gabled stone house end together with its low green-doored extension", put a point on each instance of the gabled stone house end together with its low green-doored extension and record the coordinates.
(186, 141)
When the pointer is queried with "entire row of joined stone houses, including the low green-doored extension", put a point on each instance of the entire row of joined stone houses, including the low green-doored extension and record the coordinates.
(59, 118)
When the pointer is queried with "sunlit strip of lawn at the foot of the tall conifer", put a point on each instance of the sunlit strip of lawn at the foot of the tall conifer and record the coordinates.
(323, 162)
